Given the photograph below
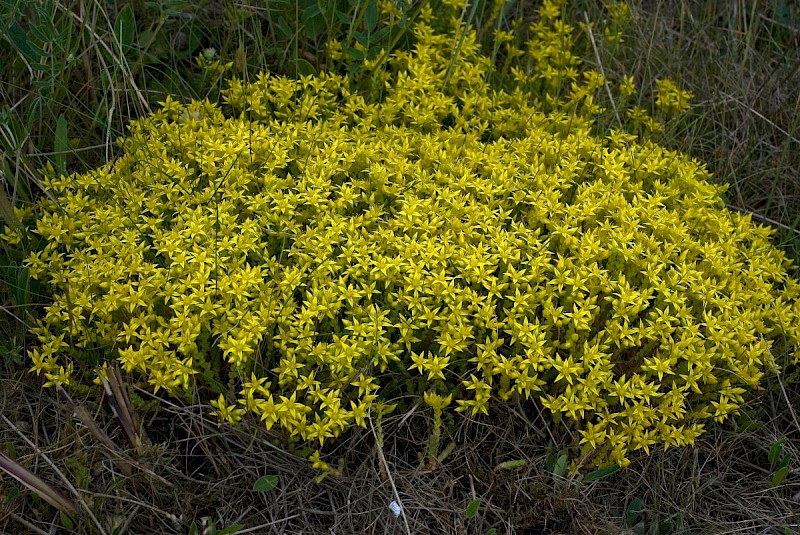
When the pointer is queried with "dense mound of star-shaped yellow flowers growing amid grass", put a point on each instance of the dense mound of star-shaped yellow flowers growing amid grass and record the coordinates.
(305, 249)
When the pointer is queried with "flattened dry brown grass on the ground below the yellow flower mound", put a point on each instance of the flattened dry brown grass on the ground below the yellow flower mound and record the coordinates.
(193, 469)
